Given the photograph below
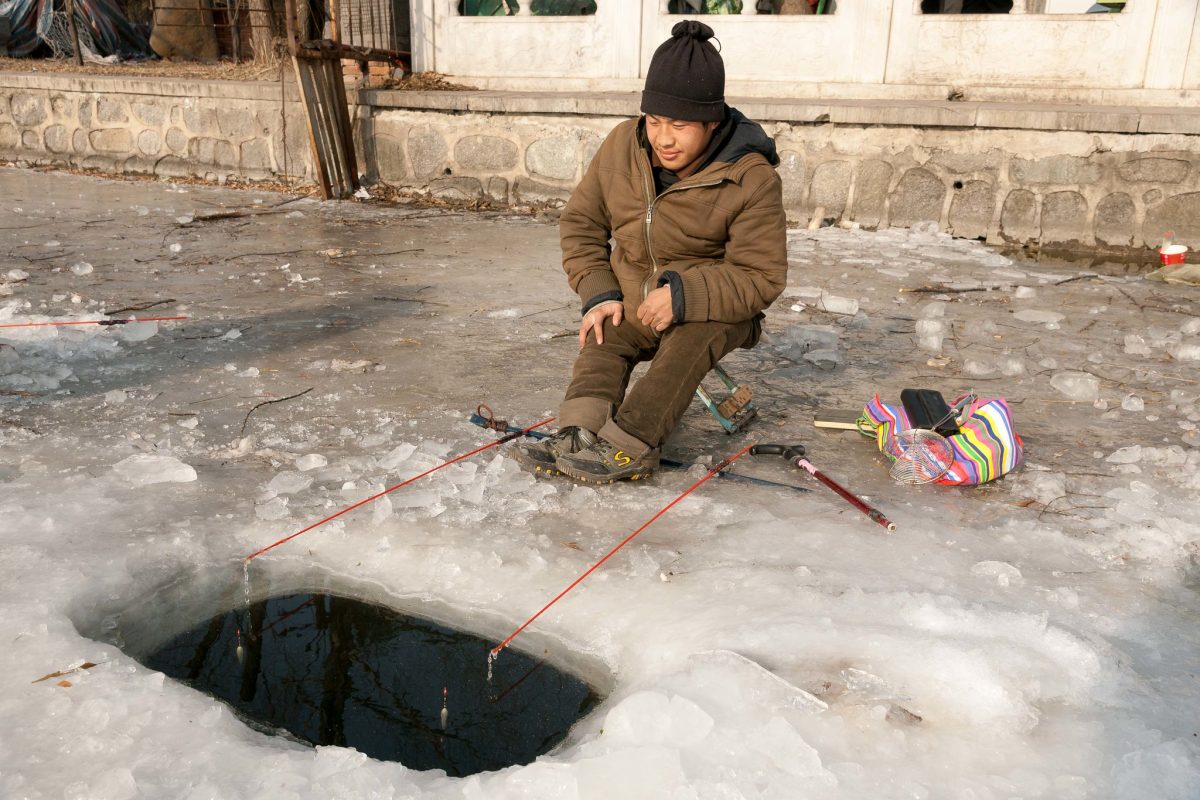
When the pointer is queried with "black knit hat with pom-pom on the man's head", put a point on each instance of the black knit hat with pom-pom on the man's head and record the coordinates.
(687, 77)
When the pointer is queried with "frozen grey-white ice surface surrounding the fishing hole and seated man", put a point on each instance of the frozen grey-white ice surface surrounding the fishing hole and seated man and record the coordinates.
(1033, 639)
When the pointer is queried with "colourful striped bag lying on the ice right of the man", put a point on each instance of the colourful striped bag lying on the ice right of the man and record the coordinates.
(986, 447)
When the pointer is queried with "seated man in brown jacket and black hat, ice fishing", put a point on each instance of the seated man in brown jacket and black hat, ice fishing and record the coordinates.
(675, 242)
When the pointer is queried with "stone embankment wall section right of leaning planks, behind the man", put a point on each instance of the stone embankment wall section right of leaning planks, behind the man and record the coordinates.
(1059, 189)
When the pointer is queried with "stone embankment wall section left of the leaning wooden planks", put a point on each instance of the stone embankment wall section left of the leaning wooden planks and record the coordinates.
(203, 129)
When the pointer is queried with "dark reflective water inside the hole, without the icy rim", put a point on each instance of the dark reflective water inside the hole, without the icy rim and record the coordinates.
(334, 671)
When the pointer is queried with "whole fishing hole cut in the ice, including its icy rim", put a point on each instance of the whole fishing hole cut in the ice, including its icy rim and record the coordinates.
(328, 663)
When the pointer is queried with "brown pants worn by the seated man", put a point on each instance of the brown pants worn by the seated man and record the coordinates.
(680, 359)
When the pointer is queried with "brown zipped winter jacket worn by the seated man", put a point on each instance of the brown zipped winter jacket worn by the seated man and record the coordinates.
(722, 230)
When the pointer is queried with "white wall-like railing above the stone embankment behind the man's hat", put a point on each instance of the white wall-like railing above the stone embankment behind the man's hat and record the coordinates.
(1153, 45)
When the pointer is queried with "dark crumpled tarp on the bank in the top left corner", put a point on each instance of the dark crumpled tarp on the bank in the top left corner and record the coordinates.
(104, 28)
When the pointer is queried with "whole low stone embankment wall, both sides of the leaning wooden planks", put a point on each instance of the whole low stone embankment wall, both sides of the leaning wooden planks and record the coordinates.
(1060, 178)
